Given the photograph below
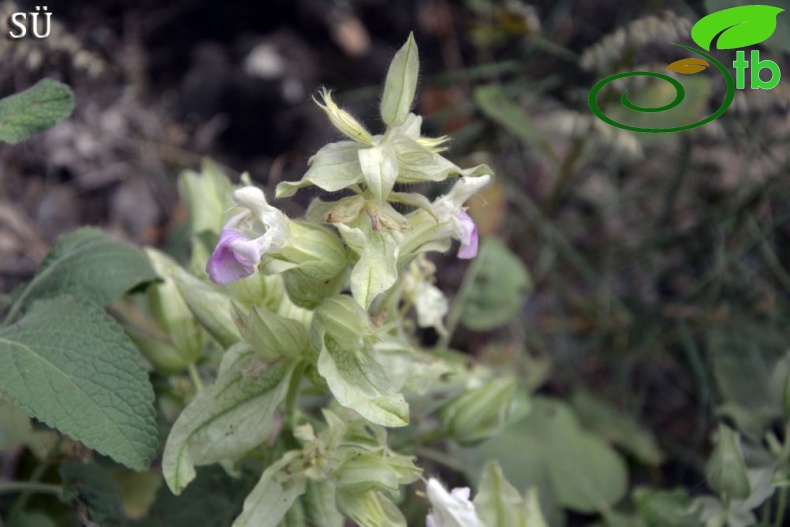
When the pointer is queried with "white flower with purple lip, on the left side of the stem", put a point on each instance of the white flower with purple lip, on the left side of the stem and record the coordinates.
(246, 237)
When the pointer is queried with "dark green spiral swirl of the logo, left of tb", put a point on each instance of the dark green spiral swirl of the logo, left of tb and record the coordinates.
(679, 96)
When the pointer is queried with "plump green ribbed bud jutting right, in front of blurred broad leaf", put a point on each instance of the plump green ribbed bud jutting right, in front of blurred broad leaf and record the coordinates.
(479, 413)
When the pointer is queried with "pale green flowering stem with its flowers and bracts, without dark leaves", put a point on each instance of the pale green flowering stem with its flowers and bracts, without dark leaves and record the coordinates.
(317, 320)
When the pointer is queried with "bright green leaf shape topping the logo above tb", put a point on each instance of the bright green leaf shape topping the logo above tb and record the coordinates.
(739, 27)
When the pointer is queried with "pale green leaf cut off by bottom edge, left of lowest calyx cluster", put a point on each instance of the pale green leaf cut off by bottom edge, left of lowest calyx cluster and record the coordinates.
(278, 488)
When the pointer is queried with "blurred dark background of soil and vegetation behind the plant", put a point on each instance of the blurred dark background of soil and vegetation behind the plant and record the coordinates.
(659, 263)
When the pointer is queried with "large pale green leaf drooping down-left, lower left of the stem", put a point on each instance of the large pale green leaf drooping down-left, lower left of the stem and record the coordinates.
(232, 416)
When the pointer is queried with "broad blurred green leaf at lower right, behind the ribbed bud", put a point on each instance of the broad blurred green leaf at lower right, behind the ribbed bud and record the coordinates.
(555, 455)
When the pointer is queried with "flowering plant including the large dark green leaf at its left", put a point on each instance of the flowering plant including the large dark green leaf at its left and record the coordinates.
(307, 328)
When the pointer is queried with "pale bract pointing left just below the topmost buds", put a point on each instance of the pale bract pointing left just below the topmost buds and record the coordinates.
(334, 167)
